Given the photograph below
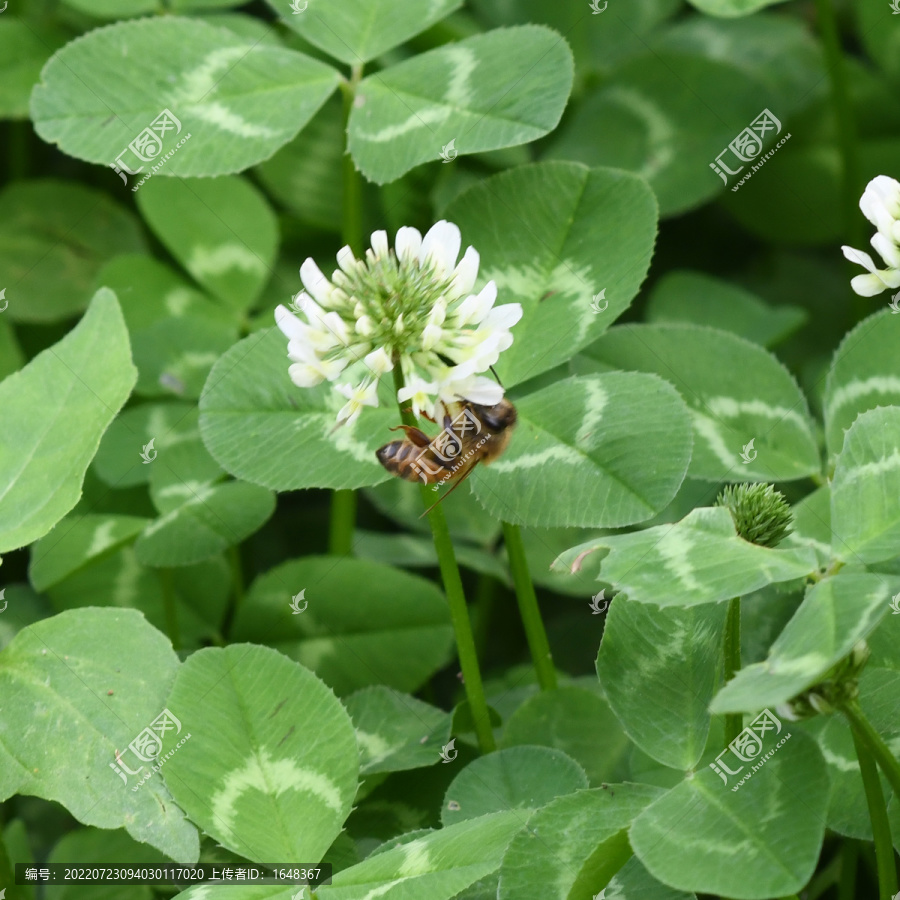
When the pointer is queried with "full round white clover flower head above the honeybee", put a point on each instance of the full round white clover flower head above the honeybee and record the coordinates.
(411, 305)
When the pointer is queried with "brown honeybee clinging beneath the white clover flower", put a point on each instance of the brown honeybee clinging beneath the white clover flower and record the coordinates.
(472, 434)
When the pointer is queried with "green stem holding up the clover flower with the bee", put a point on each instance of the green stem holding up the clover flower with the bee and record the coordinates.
(456, 599)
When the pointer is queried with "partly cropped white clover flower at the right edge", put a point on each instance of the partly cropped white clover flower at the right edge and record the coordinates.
(880, 204)
